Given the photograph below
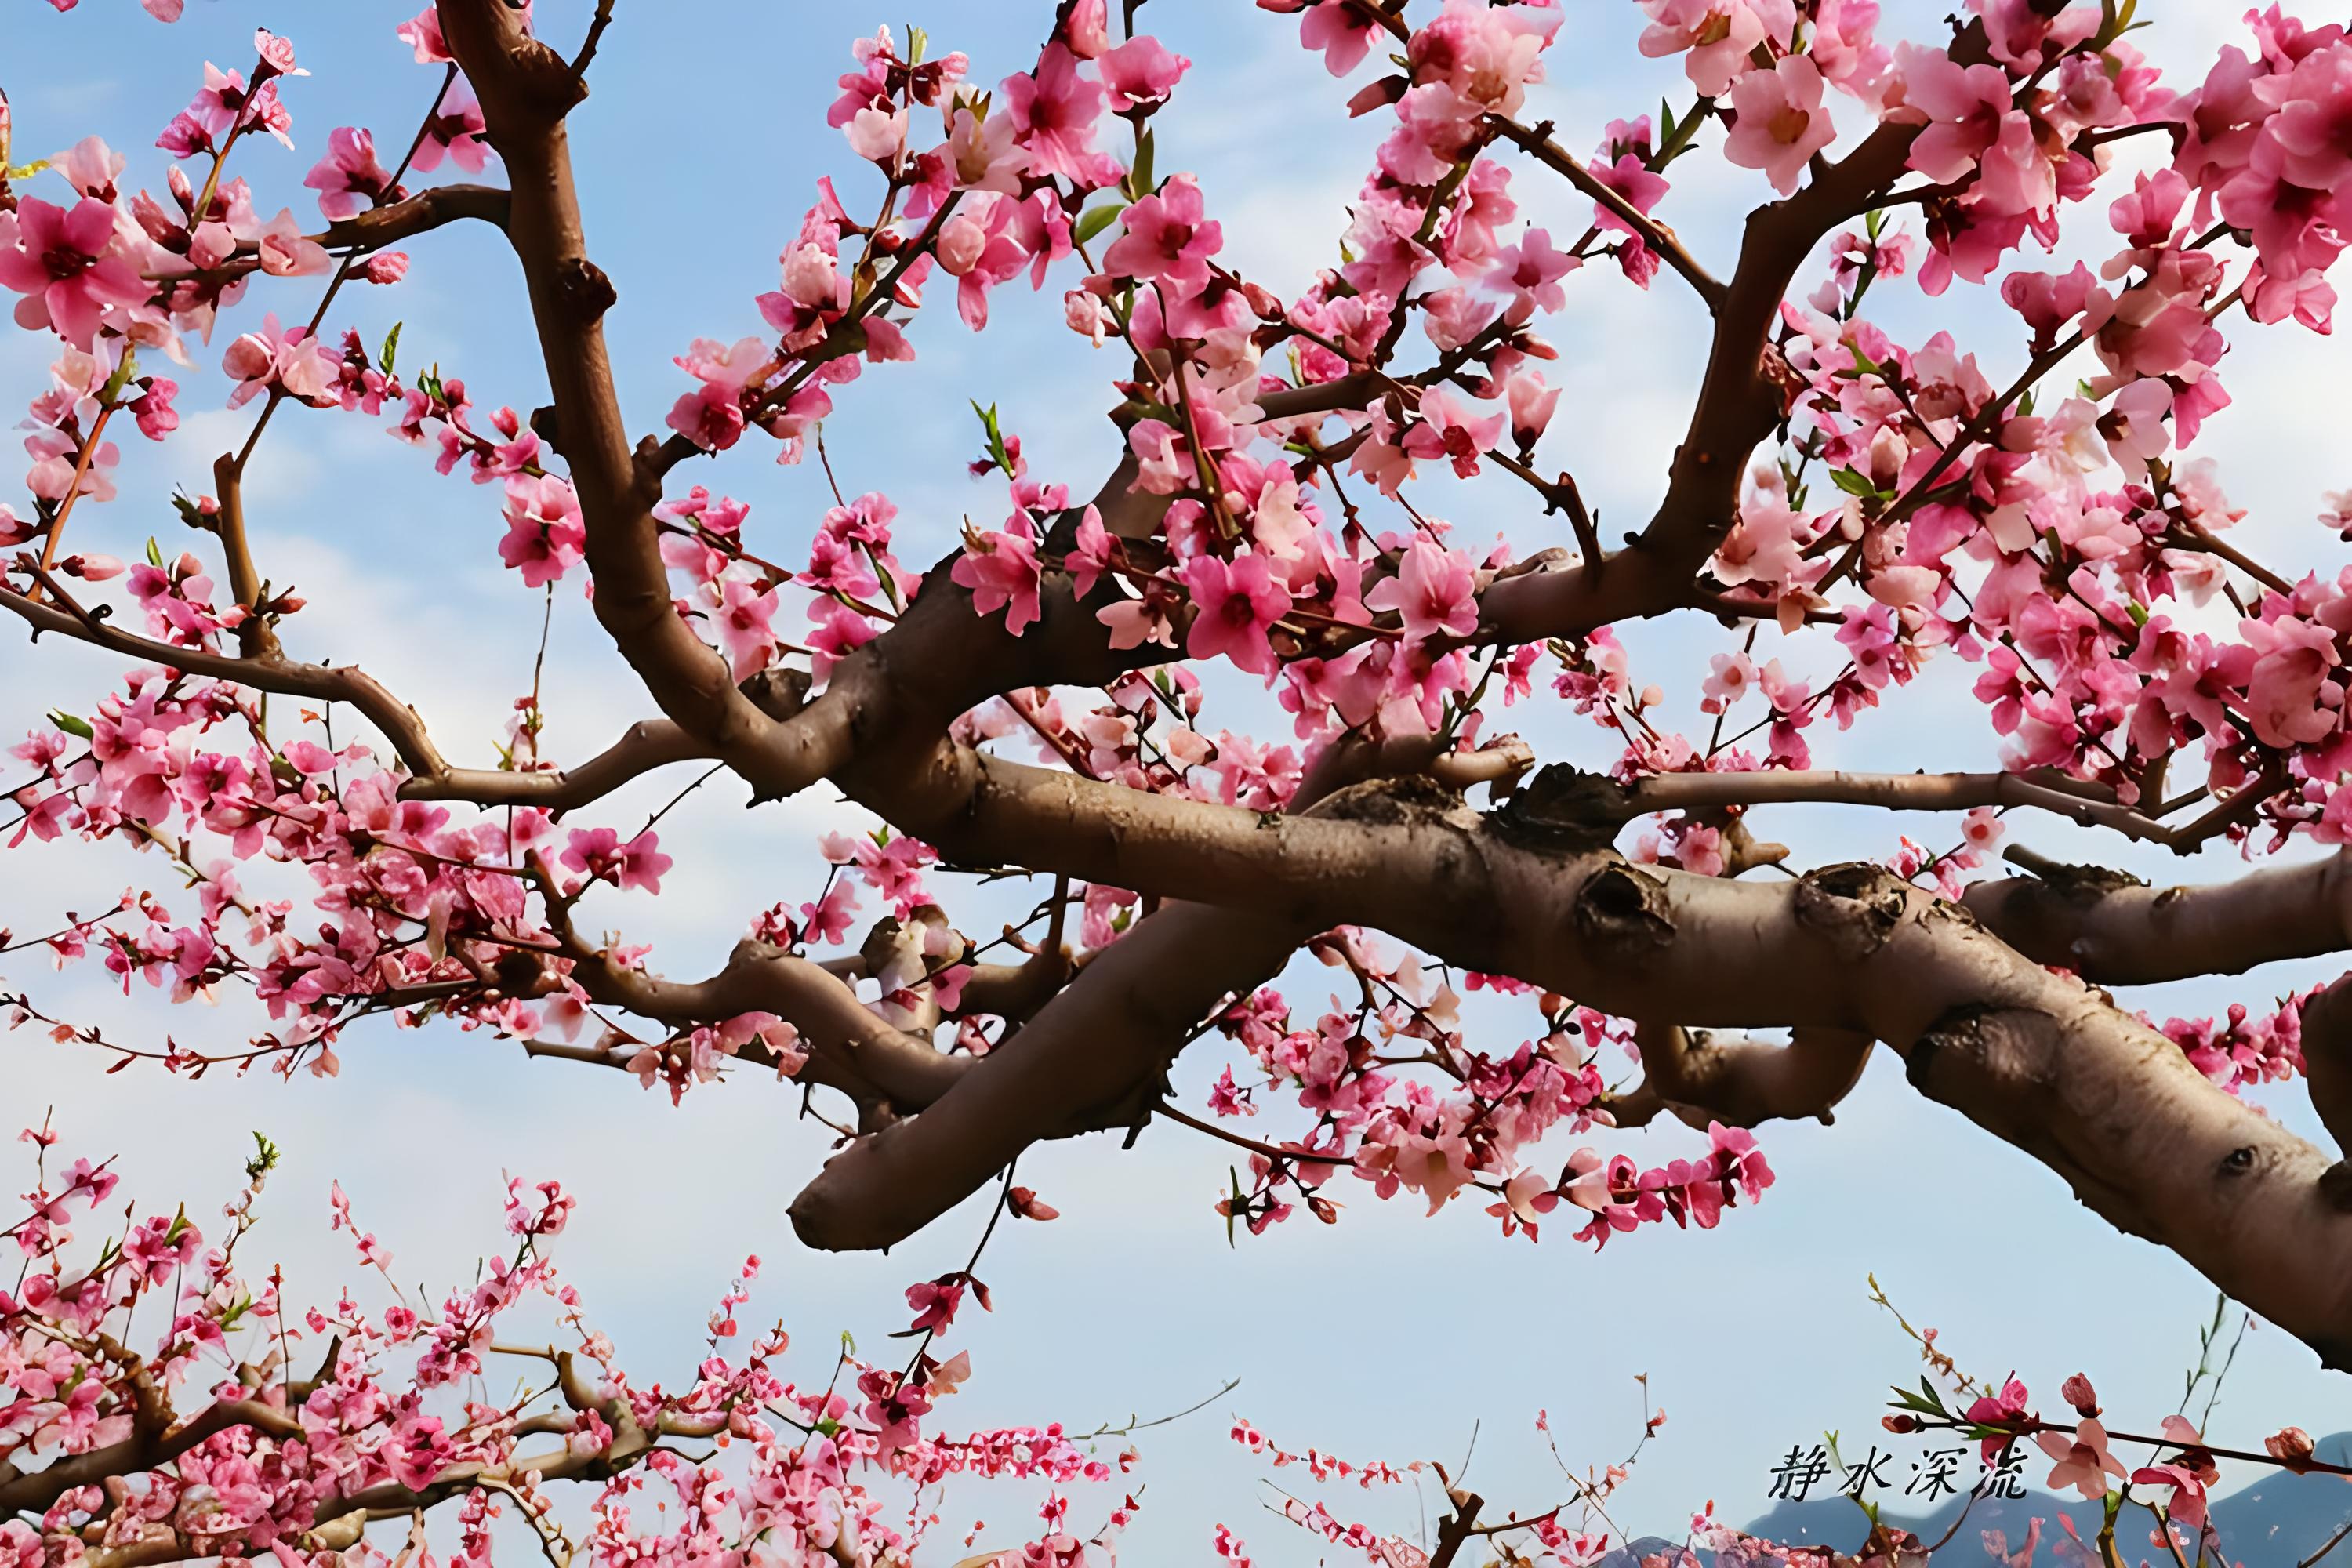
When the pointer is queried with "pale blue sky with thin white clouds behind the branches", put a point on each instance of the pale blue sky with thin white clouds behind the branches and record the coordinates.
(1387, 1336)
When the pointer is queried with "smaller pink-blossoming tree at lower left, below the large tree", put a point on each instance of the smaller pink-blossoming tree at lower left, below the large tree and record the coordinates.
(199, 1435)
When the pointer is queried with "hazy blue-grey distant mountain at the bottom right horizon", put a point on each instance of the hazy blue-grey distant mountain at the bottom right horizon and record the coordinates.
(2271, 1525)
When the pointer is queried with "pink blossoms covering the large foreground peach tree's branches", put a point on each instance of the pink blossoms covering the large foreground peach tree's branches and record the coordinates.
(1267, 518)
